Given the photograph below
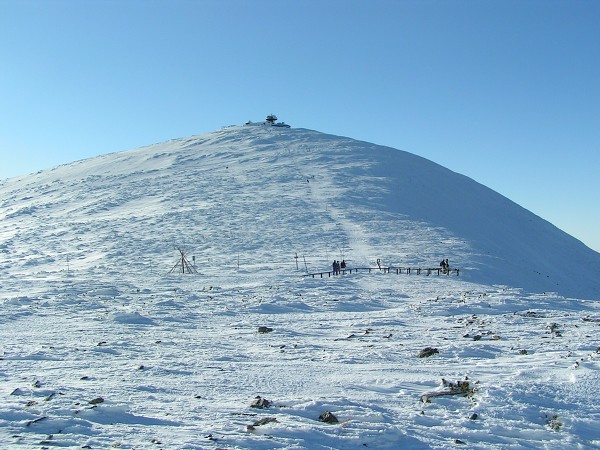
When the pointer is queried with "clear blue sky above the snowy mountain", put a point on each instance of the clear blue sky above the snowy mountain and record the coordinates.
(506, 92)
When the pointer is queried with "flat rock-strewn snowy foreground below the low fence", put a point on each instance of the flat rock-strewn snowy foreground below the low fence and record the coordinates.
(178, 362)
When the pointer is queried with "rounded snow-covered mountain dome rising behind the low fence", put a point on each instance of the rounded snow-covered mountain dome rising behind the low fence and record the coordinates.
(264, 195)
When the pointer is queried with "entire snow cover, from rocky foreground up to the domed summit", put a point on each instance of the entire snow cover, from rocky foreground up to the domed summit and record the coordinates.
(100, 346)
